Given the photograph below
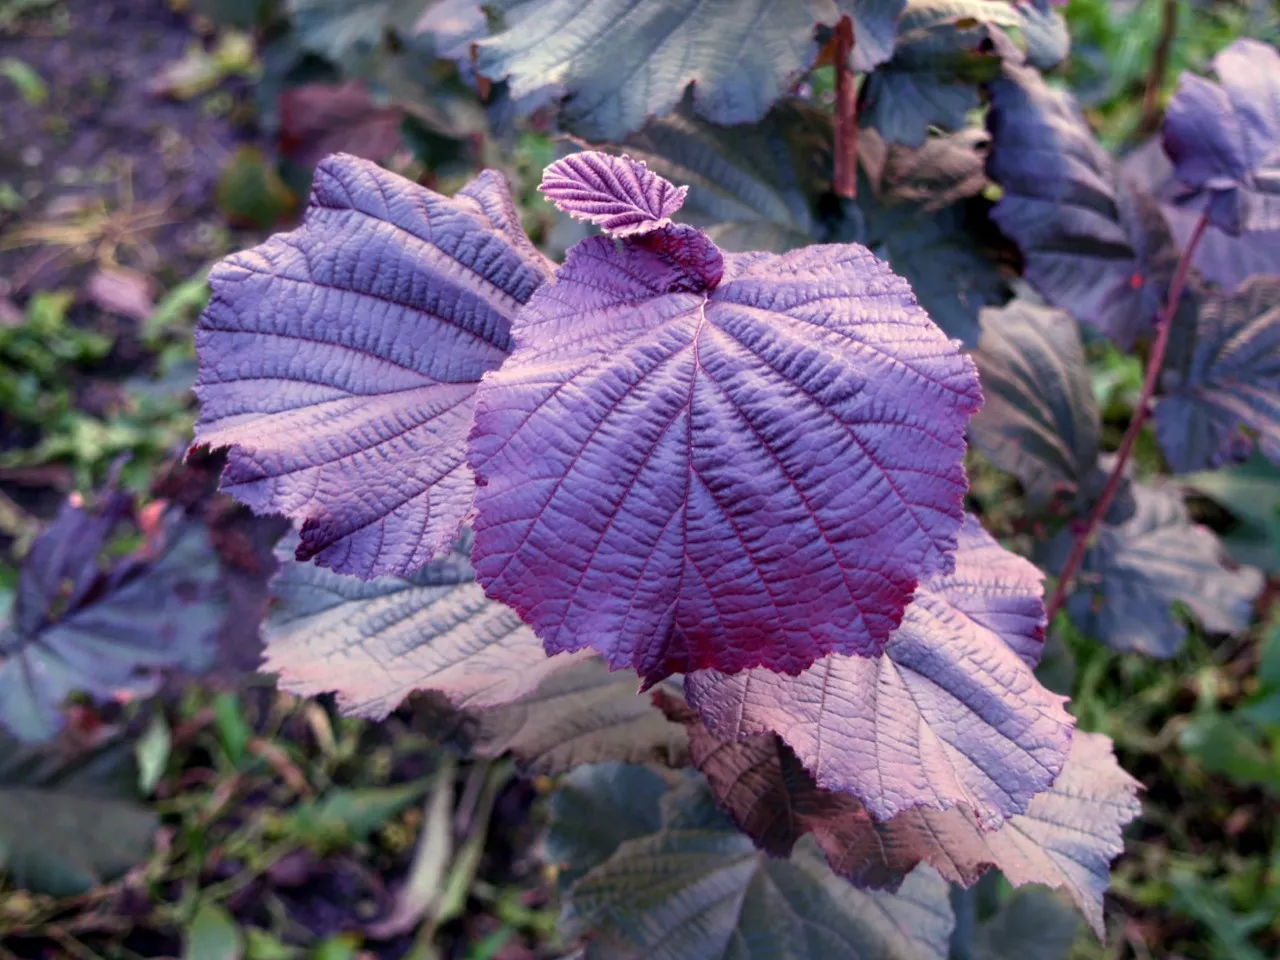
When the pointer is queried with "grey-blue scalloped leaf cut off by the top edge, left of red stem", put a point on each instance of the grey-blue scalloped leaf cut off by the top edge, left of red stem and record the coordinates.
(620, 62)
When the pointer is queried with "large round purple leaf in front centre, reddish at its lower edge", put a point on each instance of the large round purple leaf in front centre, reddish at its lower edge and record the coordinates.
(757, 474)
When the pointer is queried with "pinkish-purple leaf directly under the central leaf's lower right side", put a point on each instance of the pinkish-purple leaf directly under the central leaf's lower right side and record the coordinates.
(952, 712)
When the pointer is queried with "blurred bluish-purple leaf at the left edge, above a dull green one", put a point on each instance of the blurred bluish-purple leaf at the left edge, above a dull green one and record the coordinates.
(76, 628)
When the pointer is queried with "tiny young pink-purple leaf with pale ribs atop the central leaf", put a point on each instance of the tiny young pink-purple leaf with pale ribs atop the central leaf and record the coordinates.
(621, 196)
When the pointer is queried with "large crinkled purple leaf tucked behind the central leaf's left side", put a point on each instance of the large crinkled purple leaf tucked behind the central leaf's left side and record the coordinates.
(340, 362)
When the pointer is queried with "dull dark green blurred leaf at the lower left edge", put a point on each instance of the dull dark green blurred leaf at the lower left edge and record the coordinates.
(70, 820)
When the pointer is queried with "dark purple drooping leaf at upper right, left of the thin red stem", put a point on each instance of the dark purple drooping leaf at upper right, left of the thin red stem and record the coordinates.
(1092, 245)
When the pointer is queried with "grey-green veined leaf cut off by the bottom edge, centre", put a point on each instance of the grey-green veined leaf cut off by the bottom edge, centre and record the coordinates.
(698, 889)
